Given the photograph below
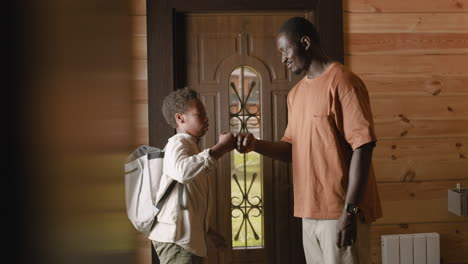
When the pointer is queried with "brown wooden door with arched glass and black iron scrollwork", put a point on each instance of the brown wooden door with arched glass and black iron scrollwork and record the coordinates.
(232, 61)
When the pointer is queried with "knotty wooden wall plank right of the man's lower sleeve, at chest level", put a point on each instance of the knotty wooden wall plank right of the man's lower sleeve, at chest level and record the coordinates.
(420, 116)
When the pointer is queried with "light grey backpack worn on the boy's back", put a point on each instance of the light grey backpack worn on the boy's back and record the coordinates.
(143, 173)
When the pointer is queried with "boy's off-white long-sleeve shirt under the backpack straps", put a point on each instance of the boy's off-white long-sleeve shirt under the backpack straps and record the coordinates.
(185, 163)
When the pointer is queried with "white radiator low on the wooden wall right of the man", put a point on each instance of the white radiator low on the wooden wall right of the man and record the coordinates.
(422, 248)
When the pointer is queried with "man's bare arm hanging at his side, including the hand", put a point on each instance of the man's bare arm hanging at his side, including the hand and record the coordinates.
(358, 175)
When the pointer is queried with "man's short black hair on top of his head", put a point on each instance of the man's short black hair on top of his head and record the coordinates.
(298, 27)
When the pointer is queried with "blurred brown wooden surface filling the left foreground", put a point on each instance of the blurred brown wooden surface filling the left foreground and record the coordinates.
(70, 110)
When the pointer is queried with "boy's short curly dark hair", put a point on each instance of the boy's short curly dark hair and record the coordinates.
(177, 102)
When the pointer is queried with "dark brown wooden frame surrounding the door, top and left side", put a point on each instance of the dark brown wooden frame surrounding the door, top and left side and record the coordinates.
(161, 60)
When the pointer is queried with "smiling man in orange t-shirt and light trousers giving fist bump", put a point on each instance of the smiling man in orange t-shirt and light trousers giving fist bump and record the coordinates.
(329, 139)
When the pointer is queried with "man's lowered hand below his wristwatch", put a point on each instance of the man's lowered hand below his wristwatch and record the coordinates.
(346, 230)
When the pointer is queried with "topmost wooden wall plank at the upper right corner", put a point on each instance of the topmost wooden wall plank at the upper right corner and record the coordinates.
(377, 6)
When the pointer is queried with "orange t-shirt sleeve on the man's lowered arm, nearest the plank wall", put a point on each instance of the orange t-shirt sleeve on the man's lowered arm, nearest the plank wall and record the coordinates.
(358, 122)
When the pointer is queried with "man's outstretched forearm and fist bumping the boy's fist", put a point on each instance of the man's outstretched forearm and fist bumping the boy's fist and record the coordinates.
(276, 150)
